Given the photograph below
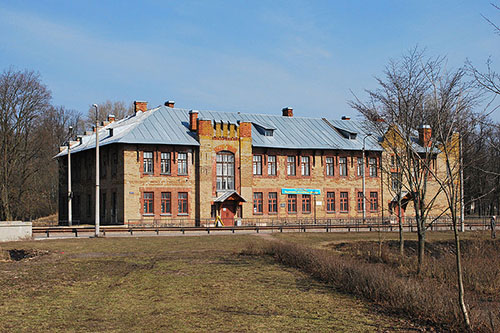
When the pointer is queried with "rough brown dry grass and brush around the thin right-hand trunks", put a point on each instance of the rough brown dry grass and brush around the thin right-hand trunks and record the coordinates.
(356, 264)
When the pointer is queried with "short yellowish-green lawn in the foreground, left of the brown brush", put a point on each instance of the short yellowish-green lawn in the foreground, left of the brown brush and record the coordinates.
(169, 284)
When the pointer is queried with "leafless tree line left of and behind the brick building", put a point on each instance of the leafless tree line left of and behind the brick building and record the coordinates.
(32, 129)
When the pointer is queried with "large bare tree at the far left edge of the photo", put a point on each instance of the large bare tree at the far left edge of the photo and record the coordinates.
(23, 99)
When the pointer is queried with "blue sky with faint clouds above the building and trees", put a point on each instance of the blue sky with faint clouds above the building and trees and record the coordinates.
(249, 56)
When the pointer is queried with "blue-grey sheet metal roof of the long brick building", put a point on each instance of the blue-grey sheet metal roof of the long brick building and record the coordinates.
(164, 125)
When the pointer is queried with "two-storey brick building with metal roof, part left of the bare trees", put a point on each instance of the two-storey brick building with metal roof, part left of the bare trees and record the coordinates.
(179, 165)
